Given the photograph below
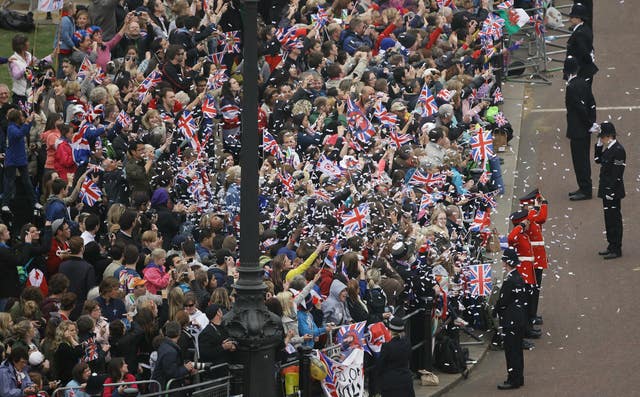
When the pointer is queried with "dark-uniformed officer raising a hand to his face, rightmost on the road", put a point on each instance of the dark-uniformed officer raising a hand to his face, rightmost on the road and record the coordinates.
(611, 156)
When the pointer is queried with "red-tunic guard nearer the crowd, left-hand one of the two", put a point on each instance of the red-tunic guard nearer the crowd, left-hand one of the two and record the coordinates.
(519, 240)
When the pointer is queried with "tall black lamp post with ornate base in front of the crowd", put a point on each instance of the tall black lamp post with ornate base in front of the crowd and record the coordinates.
(257, 330)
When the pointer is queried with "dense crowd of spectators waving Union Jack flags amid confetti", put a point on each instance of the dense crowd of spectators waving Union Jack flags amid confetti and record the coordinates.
(121, 183)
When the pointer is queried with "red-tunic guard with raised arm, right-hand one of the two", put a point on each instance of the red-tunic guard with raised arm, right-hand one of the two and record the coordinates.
(536, 204)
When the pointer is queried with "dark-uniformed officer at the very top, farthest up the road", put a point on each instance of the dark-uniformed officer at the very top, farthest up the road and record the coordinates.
(580, 44)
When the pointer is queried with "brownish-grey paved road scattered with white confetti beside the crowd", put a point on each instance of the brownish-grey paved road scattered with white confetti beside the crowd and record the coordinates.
(589, 305)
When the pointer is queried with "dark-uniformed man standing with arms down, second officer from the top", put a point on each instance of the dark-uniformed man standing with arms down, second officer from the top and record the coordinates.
(581, 114)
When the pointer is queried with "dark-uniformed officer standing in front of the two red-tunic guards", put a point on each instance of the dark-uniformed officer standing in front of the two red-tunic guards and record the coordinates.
(510, 307)
